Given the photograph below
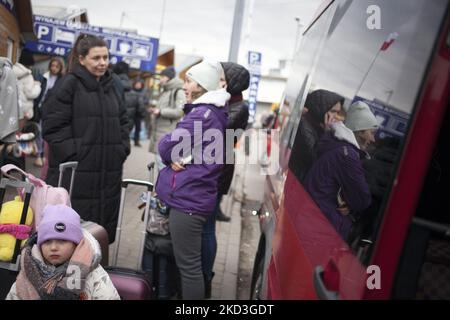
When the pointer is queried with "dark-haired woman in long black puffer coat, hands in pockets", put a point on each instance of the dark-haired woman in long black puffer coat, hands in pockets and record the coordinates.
(84, 121)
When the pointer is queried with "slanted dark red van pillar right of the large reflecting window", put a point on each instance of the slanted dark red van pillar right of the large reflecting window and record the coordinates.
(410, 178)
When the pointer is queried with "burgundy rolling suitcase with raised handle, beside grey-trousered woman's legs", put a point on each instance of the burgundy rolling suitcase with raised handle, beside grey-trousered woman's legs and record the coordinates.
(130, 284)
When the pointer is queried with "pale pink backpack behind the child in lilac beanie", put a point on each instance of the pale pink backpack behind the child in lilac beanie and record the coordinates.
(43, 194)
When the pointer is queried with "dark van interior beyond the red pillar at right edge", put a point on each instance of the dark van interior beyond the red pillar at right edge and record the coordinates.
(424, 268)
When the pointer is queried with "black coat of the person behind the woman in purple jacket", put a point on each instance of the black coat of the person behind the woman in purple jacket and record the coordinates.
(237, 119)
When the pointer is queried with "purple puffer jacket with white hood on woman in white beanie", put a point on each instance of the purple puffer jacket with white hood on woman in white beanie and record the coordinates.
(194, 190)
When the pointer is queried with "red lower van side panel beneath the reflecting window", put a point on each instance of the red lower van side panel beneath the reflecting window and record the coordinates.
(303, 229)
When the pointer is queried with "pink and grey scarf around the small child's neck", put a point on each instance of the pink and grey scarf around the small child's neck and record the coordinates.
(40, 281)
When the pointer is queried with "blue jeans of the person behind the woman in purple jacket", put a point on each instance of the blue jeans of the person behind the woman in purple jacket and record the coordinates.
(209, 242)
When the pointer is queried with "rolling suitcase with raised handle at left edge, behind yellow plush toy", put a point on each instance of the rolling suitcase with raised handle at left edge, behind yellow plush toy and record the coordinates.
(9, 270)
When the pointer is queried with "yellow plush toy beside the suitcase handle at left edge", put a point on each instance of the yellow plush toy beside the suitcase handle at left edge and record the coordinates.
(11, 230)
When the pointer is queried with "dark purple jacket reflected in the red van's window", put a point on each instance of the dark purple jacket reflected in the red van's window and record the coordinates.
(338, 167)
